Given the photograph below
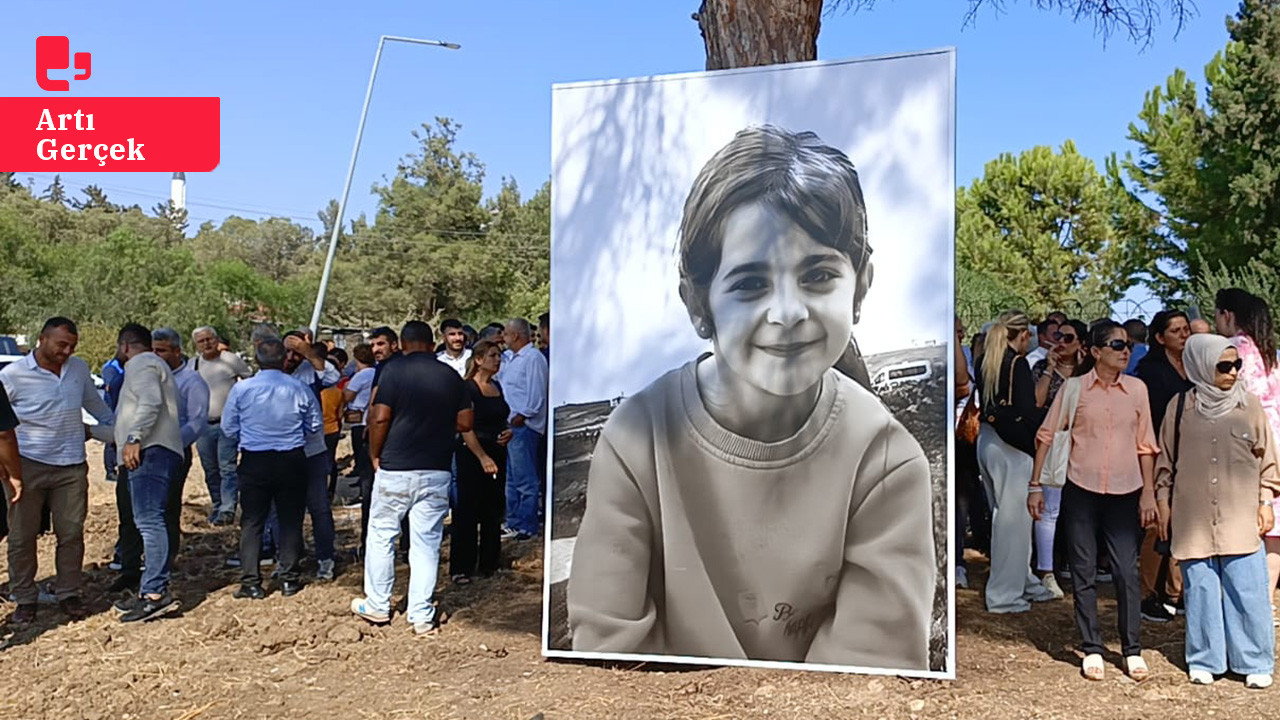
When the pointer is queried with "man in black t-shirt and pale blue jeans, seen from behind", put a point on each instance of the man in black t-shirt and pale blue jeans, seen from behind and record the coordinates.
(420, 405)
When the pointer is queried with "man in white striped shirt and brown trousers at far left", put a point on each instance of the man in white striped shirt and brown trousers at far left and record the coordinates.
(48, 389)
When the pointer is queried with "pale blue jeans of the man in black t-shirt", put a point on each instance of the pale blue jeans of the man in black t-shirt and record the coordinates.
(424, 496)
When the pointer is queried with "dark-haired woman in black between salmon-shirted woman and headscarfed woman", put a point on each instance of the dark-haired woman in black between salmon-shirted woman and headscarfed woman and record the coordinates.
(1165, 376)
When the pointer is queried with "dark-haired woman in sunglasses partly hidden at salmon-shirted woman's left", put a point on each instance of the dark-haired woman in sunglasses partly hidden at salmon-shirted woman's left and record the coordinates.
(1050, 373)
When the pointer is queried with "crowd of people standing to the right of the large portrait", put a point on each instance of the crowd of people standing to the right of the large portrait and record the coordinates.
(1137, 455)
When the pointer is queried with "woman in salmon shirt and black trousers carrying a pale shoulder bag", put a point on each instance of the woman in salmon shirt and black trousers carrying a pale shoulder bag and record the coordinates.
(1109, 493)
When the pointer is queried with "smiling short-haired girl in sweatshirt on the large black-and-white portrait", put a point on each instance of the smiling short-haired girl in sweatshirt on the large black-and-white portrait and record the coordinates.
(758, 503)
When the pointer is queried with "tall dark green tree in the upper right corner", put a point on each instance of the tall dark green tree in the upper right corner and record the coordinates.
(1214, 171)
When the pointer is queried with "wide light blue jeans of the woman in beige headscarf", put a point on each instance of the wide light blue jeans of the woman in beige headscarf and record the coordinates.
(1229, 614)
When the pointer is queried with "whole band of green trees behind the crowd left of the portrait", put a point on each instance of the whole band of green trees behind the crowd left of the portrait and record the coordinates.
(437, 248)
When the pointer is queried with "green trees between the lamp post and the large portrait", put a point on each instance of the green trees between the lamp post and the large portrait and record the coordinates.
(437, 249)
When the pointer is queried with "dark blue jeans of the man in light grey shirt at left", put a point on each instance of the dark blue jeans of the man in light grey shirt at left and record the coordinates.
(149, 494)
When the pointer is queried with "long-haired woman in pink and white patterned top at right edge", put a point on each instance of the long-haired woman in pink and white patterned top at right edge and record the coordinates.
(1246, 321)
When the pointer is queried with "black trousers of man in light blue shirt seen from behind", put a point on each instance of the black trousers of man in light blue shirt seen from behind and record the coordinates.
(268, 477)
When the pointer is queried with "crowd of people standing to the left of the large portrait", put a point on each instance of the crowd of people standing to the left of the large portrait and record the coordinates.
(442, 429)
